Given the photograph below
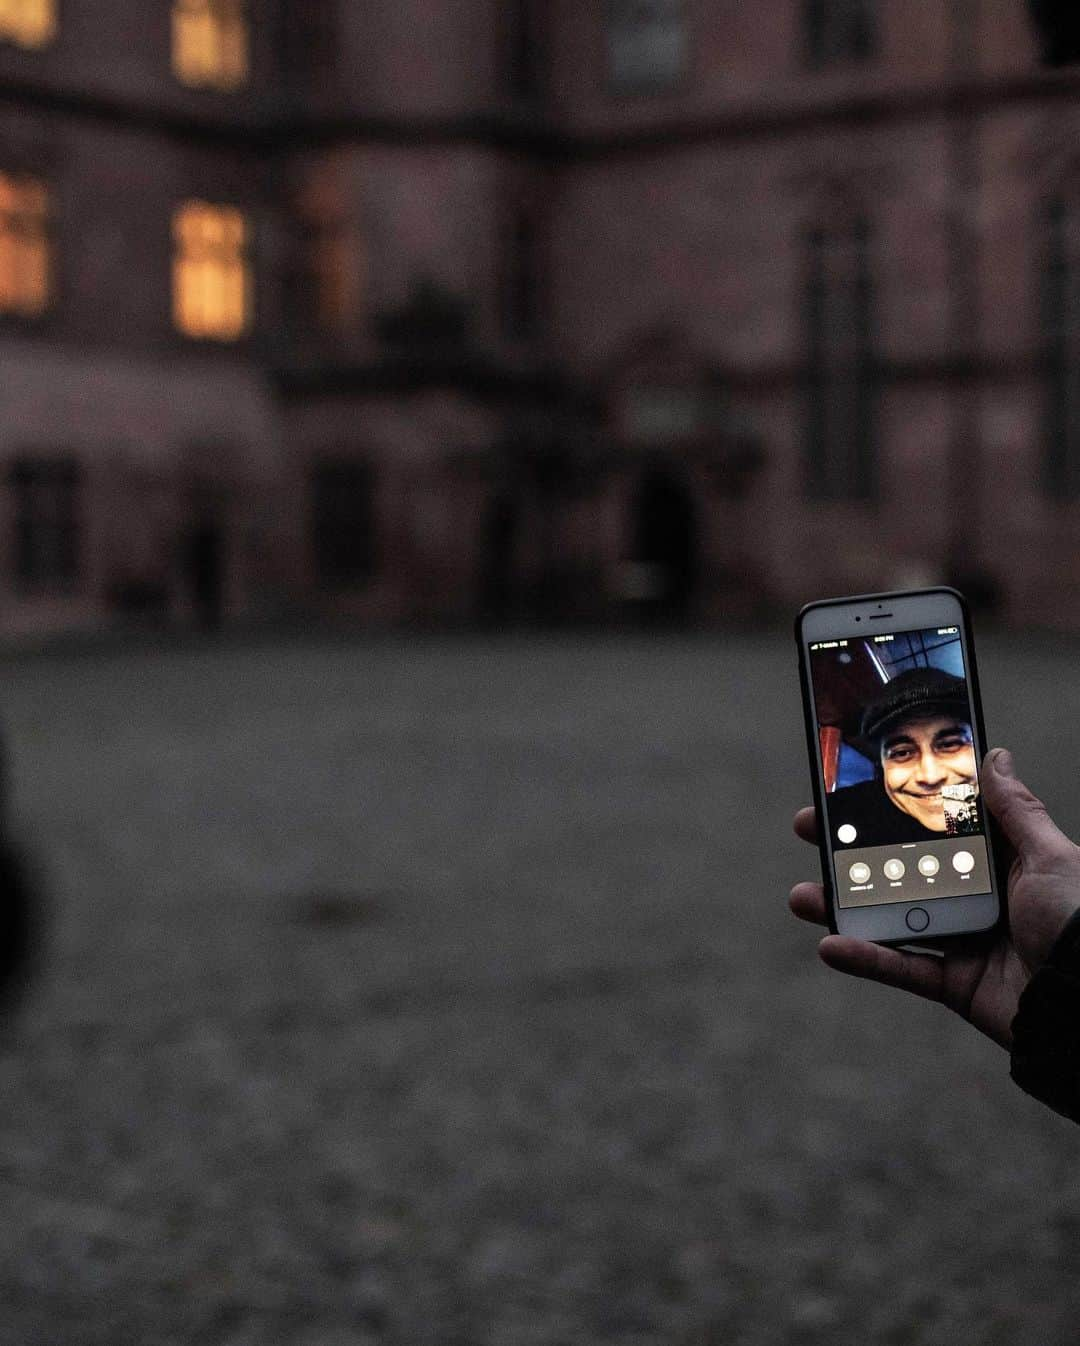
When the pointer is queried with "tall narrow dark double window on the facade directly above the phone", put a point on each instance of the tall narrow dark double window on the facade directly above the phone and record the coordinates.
(841, 461)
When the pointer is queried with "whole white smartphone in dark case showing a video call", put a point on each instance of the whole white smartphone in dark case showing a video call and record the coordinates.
(896, 740)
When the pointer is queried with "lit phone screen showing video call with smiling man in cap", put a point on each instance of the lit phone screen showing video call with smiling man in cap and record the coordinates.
(900, 767)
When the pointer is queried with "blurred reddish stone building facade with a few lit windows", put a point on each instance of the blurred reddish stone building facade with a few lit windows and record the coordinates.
(508, 309)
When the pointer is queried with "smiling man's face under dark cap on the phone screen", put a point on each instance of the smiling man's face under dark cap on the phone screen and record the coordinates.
(922, 756)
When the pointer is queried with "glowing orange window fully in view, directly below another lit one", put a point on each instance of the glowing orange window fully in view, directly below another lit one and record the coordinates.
(212, 289)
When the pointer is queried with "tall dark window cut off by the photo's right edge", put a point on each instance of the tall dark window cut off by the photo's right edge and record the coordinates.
(1062, 345)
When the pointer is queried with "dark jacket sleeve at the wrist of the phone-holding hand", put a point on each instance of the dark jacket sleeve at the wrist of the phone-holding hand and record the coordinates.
(1047, 1028)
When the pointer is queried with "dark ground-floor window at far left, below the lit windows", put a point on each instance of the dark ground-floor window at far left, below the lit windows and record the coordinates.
(46, 524)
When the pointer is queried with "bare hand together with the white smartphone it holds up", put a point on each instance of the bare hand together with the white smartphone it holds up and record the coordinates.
(914, 838)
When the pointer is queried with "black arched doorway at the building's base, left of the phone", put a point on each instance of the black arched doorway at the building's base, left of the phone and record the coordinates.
(666, 543)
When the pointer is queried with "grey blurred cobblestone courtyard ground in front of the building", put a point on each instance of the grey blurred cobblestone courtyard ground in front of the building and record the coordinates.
(445, 993)
